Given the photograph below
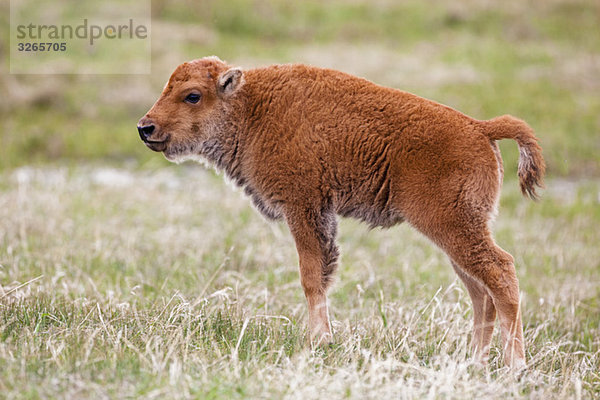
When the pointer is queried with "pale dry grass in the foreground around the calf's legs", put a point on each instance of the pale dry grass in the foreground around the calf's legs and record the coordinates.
(165, 284)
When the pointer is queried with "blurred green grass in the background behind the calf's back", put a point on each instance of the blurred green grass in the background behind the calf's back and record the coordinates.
(534, 60)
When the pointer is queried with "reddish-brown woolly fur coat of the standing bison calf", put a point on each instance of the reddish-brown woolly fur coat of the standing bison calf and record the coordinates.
(307, 143)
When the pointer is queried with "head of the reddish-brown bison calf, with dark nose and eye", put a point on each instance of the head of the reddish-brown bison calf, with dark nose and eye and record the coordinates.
(190, 108)
